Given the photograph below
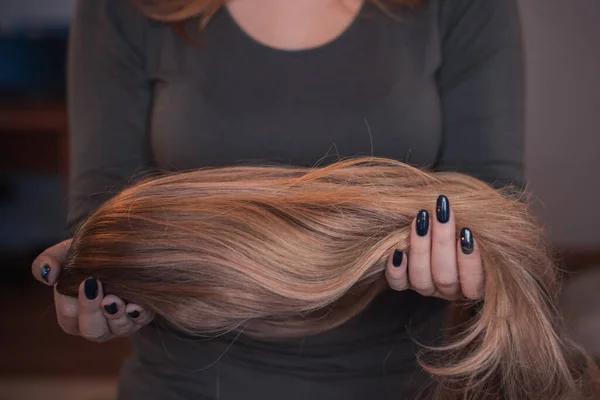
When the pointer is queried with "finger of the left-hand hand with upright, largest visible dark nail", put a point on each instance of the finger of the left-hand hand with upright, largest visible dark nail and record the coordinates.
(92, 322)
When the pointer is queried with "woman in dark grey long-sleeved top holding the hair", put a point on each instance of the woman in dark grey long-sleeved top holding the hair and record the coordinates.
(438, 84)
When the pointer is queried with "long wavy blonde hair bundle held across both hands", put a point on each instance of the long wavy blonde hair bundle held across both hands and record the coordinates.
(285, 252)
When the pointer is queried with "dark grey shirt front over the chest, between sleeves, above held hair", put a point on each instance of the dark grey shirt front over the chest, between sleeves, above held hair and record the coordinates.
(369, 91)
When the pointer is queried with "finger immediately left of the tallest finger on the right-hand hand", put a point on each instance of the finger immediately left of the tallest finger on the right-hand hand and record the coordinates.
(419, 256)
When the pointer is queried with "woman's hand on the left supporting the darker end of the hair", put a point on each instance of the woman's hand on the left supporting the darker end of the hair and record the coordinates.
(91, 315)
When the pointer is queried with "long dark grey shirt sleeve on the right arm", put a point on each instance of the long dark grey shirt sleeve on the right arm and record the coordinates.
(482, 89)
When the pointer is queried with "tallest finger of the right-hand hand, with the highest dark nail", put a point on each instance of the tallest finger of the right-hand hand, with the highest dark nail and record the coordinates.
(444, 266)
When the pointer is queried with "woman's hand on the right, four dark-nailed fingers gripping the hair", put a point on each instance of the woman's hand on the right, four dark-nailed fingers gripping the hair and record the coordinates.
(437, 264)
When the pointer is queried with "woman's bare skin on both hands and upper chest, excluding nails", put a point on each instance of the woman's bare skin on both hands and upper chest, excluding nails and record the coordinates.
(435, 265)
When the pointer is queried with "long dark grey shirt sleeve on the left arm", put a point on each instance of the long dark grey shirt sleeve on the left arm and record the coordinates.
(109, 99)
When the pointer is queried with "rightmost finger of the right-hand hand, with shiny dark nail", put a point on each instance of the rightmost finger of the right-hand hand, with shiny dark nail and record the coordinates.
(470, 266)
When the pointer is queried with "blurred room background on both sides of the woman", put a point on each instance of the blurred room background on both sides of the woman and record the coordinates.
(38, 361)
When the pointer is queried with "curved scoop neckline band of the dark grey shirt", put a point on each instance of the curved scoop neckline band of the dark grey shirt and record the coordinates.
(316, 49)
